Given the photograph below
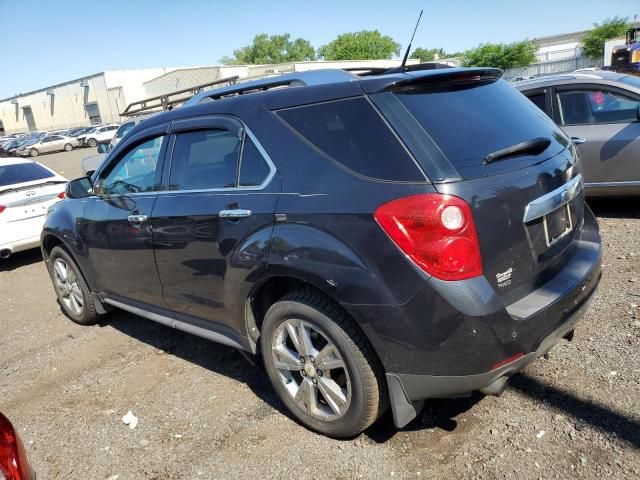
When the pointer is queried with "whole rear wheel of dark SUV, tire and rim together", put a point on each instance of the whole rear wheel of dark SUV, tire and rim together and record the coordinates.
(309, 389)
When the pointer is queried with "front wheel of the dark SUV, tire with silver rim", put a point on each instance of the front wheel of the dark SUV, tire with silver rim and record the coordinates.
(71, 288)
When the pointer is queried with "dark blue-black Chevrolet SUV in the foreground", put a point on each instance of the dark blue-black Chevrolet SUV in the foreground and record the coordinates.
(378, 240)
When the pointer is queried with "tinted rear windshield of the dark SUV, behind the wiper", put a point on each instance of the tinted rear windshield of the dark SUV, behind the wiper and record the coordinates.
(468, 122)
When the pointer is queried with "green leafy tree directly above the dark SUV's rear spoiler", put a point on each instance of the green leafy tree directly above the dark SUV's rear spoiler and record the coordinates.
(501, 55)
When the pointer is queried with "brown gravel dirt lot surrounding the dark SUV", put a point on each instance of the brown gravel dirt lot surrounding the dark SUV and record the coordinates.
(204, 412)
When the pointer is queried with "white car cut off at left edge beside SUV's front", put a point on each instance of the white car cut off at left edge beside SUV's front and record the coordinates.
(27, 190)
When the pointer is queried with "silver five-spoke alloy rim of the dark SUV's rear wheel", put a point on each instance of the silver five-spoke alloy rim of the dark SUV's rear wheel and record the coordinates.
(311, 369)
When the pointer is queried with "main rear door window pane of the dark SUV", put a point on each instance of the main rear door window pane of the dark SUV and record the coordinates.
(204, 159)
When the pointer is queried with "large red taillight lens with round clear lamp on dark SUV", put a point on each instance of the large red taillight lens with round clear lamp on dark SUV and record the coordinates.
(436, 231)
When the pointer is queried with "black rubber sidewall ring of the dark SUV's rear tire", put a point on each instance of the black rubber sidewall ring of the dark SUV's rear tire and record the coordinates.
(284, 310)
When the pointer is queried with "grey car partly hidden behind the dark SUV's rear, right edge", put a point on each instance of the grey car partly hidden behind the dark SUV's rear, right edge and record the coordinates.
(599, 110)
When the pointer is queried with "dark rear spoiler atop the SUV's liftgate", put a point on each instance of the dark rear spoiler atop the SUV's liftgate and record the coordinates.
(437, 78)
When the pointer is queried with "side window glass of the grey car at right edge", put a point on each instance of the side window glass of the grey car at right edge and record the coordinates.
(579, 107)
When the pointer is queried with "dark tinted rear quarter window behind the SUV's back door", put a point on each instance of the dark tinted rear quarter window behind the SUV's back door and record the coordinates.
(353, 134)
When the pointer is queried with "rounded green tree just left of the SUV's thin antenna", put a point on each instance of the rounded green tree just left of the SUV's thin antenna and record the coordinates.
(364, 45)
